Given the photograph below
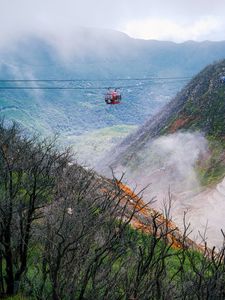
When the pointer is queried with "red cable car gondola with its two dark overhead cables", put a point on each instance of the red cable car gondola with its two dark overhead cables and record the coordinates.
(112, 95)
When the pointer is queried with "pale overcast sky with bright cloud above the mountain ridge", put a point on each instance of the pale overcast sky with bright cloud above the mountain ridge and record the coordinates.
(176, 20)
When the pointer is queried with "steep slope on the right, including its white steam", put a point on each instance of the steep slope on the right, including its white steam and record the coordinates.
(182, 149)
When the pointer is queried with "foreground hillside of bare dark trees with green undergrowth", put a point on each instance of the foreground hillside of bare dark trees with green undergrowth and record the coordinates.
(66, 234)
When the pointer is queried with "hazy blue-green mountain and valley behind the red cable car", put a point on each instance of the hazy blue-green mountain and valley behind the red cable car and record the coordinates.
(98, 59)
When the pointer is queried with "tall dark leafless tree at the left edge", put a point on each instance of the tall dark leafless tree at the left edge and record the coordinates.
(28, 170)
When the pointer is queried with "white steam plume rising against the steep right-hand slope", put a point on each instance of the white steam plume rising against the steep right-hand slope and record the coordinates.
(167, 162)
